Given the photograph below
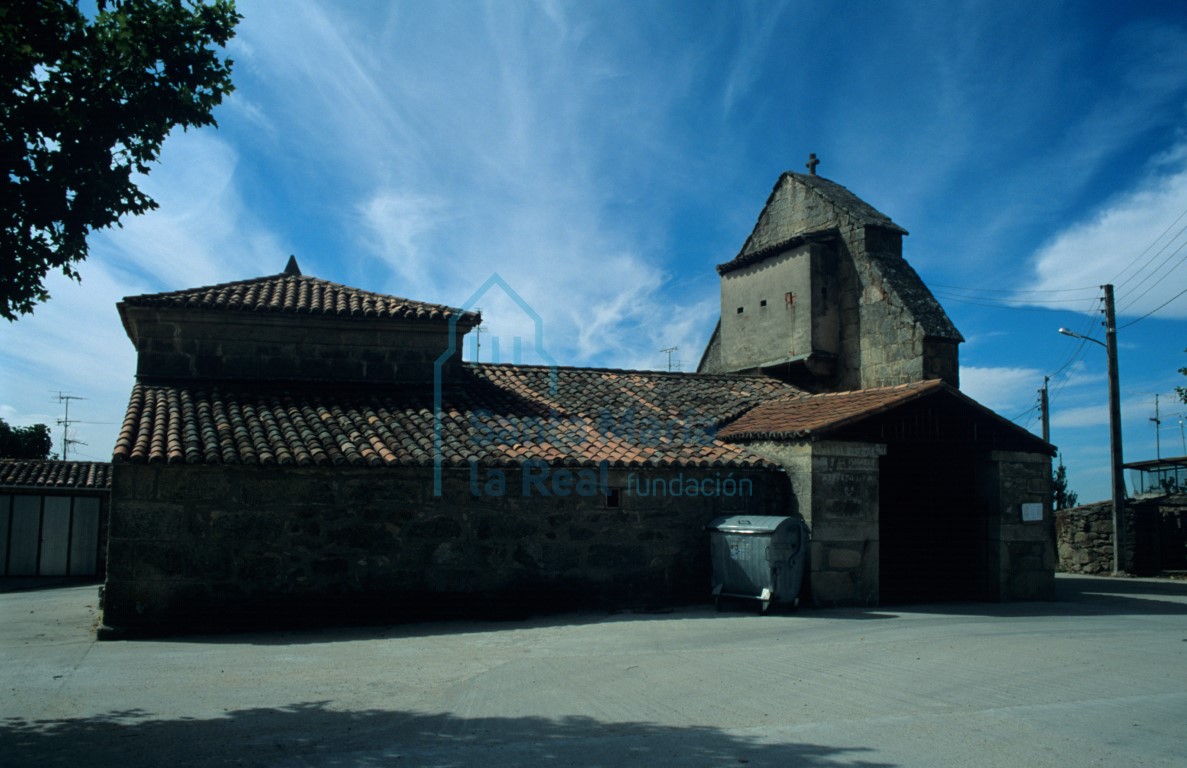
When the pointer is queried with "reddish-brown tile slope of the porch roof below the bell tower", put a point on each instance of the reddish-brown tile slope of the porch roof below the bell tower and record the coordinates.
(799, 416)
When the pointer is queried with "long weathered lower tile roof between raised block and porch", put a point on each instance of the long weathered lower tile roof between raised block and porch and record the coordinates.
(497, 416)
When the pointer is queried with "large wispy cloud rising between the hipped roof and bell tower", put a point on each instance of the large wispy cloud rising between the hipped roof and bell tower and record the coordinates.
(541, 126)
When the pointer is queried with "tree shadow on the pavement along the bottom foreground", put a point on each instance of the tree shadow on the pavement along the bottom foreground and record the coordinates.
(315, 734)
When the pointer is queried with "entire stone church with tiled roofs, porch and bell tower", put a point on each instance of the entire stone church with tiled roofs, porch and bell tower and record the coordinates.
(299, 450)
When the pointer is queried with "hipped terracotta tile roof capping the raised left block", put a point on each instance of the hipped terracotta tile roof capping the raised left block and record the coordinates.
(297, 295)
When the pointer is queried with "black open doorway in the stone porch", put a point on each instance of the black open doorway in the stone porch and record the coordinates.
(932, 530)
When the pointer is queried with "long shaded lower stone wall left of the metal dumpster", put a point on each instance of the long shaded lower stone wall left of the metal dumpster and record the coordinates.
(194, 545)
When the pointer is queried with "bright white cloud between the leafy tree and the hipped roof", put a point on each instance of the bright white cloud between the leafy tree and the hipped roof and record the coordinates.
(202, 233)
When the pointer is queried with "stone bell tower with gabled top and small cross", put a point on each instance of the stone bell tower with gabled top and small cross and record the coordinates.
(821, 296)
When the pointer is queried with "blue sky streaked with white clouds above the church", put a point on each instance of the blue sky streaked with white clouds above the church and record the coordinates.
(604, 157)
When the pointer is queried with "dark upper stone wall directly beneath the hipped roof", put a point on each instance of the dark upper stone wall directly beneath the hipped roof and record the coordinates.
(220, 345)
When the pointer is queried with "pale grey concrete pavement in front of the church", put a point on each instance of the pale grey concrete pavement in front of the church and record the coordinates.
(1097, 678)
